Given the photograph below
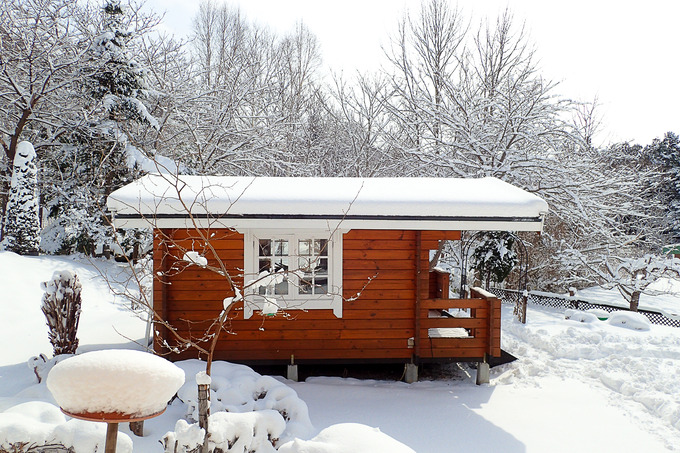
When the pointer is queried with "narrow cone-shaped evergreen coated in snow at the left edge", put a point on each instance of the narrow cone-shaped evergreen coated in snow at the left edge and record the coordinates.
(22, 224)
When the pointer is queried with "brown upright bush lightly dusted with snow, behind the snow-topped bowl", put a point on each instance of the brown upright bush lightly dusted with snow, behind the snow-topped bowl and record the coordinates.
(61, 306)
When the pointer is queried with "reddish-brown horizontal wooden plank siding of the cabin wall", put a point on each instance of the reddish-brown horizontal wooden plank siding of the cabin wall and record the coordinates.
(381, 287)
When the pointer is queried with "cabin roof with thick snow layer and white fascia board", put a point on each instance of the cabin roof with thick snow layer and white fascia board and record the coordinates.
(165, 201)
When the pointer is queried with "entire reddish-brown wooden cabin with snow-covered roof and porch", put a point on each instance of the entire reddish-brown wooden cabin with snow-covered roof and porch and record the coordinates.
(330, 269)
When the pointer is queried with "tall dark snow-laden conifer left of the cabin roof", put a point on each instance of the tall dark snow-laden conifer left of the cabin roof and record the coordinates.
(103, 153)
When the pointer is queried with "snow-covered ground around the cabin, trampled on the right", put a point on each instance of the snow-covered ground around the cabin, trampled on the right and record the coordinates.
(576, 387)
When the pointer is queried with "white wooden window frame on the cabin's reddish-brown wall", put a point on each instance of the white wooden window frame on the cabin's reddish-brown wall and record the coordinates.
(293, 301)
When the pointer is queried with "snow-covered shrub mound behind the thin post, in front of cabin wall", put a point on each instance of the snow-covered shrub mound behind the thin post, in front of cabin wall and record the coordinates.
(238, 389)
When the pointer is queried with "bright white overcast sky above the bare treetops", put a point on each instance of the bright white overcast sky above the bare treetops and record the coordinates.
(624, 52)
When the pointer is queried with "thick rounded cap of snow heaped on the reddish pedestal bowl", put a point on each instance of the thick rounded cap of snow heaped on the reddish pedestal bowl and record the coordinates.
(114, 381)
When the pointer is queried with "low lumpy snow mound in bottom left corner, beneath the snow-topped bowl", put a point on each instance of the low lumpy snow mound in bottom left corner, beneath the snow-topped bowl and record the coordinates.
(42, 424)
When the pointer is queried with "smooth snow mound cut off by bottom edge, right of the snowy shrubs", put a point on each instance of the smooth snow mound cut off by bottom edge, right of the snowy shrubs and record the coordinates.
(347, 437)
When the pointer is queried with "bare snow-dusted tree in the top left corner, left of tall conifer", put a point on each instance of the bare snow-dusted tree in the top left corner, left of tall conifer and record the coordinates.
(41, 49)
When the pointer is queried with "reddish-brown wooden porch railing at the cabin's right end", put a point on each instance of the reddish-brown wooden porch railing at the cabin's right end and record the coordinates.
(460, 328)
